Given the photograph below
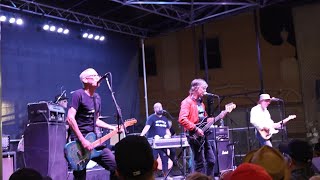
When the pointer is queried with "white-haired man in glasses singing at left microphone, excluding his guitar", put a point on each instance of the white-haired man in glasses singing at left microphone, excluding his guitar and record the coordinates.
(85, 108)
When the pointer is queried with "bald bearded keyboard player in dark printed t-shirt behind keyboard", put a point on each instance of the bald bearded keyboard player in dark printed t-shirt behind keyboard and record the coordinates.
(157, 126)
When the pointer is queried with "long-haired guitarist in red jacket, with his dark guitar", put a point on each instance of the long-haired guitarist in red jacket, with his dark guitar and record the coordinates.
(192, 112)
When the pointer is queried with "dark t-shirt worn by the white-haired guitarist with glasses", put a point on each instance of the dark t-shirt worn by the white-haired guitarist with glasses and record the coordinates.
(86, 109)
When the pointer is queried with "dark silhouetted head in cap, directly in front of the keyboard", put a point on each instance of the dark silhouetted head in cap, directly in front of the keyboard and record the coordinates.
(134, 158)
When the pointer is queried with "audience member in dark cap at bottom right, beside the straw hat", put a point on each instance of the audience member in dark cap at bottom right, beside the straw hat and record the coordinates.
(301, 154)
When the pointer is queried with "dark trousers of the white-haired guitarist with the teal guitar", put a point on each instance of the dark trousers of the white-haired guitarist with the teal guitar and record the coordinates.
(106, 160)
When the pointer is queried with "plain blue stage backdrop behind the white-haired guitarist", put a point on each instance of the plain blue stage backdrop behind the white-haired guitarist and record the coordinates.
(36, 65)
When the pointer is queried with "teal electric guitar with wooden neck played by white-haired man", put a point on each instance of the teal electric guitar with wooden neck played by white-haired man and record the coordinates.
(78, 157)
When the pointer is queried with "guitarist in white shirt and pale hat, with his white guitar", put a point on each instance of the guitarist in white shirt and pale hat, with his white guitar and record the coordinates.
(260, 118)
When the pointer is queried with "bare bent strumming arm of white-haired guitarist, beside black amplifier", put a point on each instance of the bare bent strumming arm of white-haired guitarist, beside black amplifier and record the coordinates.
(74, 126)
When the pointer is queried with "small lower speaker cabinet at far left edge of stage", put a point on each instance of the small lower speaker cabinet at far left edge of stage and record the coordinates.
(8, 164)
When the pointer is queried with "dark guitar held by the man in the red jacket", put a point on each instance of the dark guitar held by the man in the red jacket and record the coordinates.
(204, 125)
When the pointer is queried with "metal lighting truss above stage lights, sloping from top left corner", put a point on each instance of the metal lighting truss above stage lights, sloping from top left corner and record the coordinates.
(73, 17)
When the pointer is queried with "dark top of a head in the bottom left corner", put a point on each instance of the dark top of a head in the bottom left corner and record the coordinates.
(26, 174)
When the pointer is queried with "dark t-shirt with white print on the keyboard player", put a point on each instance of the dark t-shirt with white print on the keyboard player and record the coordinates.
(158, 125)
